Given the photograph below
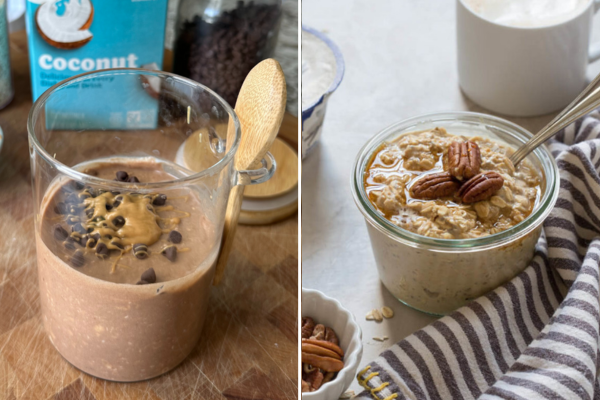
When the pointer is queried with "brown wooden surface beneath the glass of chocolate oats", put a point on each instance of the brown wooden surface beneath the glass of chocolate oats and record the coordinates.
(249, 345)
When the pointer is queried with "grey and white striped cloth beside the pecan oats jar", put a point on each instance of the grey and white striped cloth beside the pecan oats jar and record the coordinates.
(536, 337)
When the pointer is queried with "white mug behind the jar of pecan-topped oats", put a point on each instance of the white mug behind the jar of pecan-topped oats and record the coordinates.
(523, 71)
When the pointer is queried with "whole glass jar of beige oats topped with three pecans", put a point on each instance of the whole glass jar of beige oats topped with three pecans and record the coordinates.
(449, 217)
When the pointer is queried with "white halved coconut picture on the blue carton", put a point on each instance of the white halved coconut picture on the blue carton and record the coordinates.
(64, 24)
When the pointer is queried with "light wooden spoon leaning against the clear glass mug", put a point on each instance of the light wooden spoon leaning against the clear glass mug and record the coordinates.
(260, 107)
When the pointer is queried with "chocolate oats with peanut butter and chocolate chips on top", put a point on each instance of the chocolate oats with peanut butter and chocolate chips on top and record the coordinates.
(124, 276)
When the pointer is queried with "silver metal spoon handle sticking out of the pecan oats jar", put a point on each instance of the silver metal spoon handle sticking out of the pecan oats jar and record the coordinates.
(587, 101)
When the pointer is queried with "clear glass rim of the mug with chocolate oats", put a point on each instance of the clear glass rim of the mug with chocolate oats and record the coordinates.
(80, 176)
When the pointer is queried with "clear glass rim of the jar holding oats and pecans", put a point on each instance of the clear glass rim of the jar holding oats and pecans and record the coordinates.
(377, 220)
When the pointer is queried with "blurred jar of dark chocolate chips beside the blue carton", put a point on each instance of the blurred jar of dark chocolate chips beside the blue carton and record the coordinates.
(217, 42)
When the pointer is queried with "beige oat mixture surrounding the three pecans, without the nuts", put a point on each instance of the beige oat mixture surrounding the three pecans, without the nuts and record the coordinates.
(396, 166)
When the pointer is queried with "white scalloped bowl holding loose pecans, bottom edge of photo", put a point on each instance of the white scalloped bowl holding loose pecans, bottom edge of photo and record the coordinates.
(329, 312)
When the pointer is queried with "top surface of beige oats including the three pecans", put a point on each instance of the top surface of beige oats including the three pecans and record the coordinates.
(421, 183)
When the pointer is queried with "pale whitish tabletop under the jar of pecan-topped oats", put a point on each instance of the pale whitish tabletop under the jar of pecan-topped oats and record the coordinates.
(400, 62)
